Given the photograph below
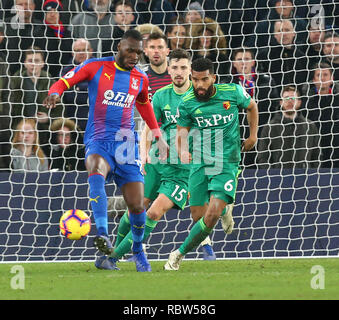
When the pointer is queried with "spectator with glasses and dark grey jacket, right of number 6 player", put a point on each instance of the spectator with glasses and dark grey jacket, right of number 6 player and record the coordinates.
(289, 140)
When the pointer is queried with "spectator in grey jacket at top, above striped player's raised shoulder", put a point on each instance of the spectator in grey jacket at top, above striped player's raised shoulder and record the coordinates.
(96, 26)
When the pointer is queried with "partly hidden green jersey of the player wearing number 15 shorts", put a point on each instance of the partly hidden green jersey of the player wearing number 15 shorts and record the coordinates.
(165, 105)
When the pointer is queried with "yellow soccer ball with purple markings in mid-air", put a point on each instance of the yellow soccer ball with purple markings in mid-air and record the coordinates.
(75, 224)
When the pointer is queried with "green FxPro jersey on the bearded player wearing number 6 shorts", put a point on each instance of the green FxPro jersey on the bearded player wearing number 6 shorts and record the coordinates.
(215, 132)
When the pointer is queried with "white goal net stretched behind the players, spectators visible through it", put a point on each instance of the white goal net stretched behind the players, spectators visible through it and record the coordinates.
(283, 53)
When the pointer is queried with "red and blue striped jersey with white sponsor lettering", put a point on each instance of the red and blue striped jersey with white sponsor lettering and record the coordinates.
(112, 93)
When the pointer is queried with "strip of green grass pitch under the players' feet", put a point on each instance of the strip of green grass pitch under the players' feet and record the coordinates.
(196, 280)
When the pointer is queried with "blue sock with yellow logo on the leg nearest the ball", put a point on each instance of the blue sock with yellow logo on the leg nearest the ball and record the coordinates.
(98, 200)
